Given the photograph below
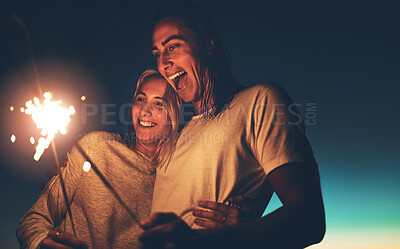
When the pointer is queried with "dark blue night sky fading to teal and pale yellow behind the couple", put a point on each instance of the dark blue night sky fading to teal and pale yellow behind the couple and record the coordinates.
(339, 61)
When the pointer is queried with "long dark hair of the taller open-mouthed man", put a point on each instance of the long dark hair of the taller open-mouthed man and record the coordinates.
(219, 85)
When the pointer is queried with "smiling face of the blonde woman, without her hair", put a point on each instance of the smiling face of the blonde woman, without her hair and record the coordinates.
(149, 114)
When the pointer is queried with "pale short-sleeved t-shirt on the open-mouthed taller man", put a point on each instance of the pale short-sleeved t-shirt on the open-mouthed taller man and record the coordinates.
(232, 153)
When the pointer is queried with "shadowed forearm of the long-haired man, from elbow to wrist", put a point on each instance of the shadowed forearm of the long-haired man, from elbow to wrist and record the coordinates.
(287, 227)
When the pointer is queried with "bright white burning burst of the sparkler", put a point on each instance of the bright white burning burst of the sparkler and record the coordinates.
(50, 117)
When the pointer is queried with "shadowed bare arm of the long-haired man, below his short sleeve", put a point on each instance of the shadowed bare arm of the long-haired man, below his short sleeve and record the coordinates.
(300, 222)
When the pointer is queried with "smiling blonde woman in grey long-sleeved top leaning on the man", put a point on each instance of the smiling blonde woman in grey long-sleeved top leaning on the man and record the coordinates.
(108, 202)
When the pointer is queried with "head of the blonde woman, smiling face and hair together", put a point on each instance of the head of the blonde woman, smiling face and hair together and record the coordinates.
(154, 118)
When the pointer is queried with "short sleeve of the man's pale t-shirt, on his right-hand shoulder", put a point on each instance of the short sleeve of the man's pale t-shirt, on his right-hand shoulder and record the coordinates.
(277, 131)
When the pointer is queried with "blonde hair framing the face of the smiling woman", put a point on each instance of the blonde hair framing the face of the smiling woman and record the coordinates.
(166, 146)
